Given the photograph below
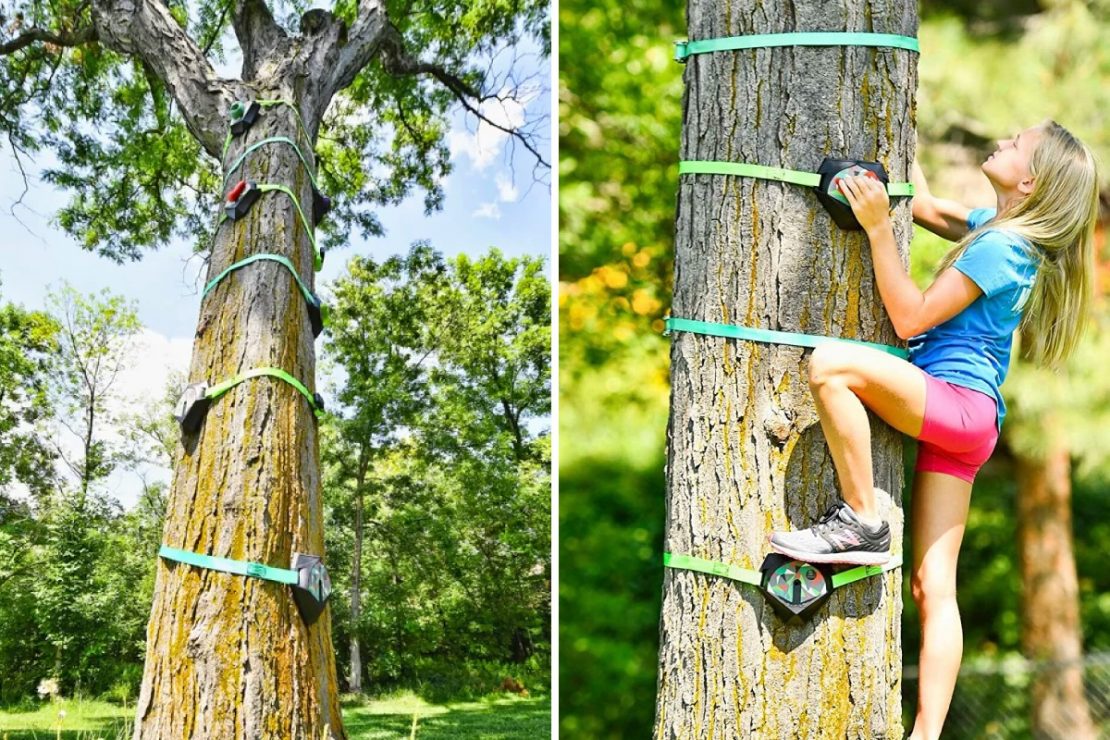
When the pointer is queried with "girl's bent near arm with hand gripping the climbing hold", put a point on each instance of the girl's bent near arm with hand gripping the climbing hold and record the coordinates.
(911, 311)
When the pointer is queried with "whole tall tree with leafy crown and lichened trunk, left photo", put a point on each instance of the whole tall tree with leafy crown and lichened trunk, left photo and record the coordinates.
(144, 75)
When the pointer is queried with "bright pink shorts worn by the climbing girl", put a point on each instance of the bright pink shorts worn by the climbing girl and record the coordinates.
(960, 432)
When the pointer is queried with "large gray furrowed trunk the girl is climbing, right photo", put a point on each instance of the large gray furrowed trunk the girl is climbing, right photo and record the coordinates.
(746, 454)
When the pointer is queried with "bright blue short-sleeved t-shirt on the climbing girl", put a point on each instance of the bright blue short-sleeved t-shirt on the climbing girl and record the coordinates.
(973, 349)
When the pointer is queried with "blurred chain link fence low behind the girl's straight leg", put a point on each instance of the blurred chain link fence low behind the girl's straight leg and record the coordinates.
(996, 701)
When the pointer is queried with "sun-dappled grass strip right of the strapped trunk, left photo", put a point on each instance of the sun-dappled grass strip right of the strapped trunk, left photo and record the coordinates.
(509, 719)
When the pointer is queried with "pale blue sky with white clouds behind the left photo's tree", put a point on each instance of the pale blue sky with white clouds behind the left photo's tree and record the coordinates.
(488, 204)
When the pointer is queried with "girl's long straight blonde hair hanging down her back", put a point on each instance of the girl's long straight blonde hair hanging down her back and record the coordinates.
(1058, 219)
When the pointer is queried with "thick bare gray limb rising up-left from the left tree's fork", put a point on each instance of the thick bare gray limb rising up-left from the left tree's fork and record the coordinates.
(146, 29)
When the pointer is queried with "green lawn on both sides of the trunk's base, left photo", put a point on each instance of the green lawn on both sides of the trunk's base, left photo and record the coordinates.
(507, 718)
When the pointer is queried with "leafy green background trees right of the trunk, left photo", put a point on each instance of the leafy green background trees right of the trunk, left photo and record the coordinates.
(456, 540)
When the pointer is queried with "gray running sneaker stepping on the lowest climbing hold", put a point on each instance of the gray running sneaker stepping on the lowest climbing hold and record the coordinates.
(837, 538)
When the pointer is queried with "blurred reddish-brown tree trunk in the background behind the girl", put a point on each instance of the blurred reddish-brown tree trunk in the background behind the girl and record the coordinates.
(1051, 594)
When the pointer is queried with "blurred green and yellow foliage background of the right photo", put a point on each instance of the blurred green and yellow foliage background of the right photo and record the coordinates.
(987, 69)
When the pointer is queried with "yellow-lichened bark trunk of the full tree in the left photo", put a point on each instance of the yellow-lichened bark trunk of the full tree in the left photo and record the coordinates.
(229, 656)
